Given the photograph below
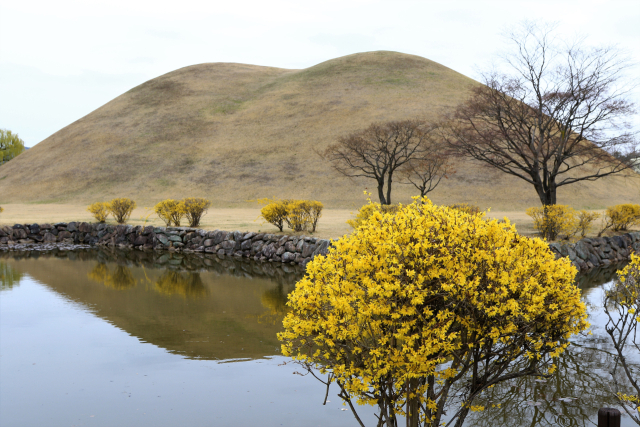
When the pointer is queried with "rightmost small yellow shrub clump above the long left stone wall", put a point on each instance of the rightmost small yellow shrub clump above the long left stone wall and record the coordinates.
(299, 215)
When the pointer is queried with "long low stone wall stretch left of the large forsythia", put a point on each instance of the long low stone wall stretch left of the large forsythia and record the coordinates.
(259, 246)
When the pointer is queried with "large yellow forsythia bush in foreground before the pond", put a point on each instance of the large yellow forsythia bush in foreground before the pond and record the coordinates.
(392, 307)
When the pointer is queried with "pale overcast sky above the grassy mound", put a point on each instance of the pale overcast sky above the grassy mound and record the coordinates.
(62, 59)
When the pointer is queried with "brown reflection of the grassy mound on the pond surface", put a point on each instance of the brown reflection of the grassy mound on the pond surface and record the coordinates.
(203, 307)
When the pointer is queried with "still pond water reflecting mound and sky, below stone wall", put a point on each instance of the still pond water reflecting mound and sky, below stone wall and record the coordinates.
(97, 338)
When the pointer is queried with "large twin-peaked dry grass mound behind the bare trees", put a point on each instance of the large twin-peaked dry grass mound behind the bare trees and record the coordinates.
(234, 132)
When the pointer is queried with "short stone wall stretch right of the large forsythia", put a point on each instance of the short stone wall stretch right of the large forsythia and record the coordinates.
(594, 252)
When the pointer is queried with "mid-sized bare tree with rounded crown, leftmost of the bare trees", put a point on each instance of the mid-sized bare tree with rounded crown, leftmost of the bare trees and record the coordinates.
(379, 151)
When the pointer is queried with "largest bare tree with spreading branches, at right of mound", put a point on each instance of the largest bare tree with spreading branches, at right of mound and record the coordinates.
(554, 119)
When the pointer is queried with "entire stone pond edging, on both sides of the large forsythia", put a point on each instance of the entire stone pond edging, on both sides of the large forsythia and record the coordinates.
(586, 254)
